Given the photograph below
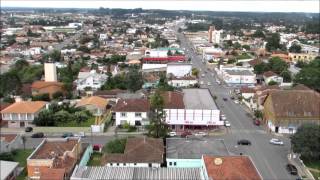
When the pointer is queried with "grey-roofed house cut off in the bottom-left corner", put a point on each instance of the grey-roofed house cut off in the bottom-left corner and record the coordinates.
(9, 170)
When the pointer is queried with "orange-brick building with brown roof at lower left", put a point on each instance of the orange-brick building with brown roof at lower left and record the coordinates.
(56, 154)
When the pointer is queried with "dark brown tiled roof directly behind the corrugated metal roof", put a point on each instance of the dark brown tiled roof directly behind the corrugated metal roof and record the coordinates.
(139, 150)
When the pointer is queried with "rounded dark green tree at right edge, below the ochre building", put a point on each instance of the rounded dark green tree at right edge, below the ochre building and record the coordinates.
(306, 141)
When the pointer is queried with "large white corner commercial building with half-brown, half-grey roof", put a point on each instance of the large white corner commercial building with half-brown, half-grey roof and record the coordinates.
(191, 109)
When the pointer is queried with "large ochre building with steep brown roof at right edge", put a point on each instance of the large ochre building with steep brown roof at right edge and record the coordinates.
(286, 110)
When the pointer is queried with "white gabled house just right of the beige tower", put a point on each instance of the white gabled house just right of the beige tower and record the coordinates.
(90, 79)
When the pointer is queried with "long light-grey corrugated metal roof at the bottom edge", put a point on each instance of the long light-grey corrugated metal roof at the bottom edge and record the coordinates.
(136, 173)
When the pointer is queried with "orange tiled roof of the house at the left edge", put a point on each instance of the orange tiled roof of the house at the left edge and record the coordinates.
(25, 107)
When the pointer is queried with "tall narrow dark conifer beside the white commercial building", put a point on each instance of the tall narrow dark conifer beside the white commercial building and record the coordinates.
(157, 127)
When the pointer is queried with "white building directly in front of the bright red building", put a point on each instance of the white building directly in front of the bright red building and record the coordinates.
(179, 69)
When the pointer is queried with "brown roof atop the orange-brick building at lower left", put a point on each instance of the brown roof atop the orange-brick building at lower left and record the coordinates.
(49, 149)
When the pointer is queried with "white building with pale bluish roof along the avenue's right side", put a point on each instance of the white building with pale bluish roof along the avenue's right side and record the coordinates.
(237, 75)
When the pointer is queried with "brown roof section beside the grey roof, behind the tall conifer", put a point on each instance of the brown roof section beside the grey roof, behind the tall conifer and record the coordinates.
(173, 100)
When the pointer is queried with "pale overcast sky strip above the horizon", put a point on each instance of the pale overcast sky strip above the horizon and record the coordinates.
(226, 5)
